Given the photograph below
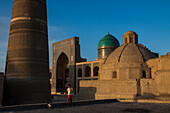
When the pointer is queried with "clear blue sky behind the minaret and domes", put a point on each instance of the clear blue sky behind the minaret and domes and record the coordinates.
(92, 19)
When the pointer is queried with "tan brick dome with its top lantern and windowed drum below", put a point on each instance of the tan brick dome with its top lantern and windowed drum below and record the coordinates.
(128, 61)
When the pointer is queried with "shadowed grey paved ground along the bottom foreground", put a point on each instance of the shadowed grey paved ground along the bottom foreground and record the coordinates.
(117, 107)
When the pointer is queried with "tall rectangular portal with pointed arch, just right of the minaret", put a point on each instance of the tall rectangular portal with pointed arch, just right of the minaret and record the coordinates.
(66, 54)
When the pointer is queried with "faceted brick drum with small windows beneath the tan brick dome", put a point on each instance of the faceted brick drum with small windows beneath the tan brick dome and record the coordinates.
(125, 73)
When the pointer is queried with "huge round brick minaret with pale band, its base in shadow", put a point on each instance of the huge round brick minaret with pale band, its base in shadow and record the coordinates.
(27, 65)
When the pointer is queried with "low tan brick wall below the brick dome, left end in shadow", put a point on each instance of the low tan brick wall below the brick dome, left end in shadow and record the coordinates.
(107, 89)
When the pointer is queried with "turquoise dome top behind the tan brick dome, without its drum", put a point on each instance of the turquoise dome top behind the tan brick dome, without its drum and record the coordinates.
(108, 40)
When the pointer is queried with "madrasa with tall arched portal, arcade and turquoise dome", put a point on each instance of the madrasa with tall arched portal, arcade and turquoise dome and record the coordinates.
(66, 54)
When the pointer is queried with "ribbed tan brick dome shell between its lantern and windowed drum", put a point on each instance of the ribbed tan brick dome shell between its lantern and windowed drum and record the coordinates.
(130, 53)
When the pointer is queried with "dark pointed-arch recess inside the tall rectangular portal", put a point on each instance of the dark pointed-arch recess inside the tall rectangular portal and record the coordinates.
(62, 73)
